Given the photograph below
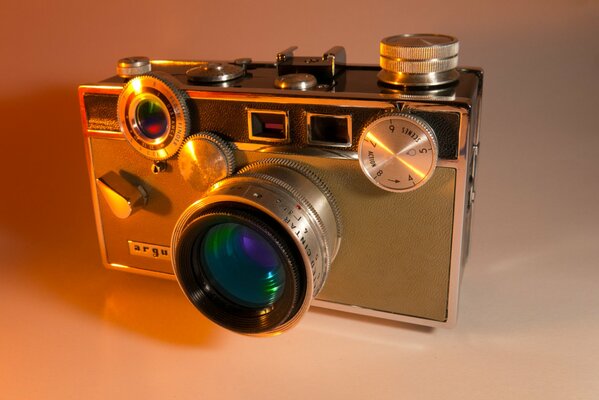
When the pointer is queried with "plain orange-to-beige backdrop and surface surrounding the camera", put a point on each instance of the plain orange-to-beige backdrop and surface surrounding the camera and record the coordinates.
(529, 321)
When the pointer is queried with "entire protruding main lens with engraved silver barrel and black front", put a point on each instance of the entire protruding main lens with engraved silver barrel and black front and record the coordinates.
(254, 251)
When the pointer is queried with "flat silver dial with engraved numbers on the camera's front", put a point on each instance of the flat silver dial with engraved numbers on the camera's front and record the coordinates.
(398, 152)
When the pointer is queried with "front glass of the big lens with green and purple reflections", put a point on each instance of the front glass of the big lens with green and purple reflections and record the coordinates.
(242, 265)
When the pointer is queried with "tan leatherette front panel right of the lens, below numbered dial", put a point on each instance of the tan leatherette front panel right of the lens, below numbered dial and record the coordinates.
(395, 251)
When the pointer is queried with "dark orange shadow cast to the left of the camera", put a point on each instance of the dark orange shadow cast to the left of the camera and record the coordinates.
(46, 211)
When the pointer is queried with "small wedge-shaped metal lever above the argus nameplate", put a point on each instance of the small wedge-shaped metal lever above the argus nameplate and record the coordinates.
(122, 197)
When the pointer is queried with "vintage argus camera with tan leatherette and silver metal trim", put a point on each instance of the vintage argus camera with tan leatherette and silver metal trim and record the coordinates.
(267, 187)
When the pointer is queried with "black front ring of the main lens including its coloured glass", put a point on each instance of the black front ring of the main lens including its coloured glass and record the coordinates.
(240, 269)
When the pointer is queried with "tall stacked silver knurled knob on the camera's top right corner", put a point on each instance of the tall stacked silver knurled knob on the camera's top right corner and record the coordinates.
(419, 59)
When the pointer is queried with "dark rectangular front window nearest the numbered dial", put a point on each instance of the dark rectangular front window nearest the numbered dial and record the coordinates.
(329, 130)
